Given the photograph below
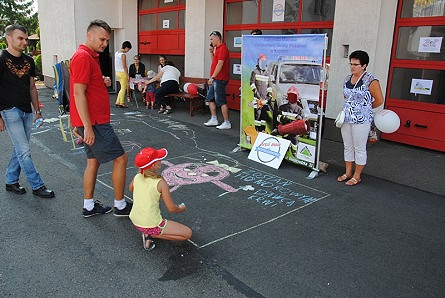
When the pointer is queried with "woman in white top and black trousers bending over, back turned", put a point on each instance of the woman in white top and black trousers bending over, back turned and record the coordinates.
(169, 76)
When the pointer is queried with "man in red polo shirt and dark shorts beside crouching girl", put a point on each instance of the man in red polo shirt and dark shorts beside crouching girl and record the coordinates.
(90, 113)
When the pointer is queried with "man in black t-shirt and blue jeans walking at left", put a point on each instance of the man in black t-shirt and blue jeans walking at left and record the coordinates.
(18, 93)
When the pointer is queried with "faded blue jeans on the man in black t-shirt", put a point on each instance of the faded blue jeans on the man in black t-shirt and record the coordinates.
(18, 125)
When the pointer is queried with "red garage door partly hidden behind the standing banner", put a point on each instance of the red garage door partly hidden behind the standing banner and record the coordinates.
(242, 16)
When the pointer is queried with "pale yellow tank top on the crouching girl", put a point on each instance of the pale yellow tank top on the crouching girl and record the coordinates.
(145, 212)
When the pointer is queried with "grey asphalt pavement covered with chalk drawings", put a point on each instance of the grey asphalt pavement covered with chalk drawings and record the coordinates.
(258, 232)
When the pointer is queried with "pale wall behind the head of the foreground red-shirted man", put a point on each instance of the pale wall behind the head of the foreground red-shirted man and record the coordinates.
(63, 26)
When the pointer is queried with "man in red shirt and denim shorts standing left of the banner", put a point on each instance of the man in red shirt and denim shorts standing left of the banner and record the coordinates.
(219, 77)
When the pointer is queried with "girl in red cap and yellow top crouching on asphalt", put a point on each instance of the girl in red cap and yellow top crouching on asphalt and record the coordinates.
(148, 187)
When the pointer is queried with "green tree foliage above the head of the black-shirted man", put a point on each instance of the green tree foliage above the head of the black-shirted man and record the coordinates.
(18, 12)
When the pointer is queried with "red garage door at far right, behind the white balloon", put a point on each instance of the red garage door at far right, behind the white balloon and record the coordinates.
(416, 85)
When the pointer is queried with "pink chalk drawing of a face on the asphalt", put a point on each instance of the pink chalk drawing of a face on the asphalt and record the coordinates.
(195, 173)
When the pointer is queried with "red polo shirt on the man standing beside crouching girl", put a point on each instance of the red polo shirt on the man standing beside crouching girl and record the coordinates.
(85, 69)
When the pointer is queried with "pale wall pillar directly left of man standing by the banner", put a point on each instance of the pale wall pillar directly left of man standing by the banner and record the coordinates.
(202, 17)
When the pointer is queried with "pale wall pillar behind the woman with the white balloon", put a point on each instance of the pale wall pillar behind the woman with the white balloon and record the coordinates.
(362, 26)
